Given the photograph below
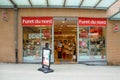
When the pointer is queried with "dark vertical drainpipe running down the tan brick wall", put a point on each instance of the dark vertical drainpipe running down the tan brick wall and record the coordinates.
(16, 33)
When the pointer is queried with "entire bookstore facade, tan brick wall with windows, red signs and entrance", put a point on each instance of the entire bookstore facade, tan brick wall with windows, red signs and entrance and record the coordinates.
(75, 35)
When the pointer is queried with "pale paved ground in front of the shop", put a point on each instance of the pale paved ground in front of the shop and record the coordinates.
(61, 72)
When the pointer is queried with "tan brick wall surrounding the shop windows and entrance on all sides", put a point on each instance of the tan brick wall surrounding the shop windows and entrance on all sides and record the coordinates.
(7, 47)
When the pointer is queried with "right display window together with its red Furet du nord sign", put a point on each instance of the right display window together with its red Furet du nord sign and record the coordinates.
(91, 39)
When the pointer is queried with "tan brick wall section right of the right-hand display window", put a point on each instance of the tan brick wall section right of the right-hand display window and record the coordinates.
(113, 44)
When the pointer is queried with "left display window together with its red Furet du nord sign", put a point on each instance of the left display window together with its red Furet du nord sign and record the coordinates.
(37, 31)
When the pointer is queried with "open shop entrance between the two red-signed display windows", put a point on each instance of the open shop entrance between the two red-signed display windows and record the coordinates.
(65, 34)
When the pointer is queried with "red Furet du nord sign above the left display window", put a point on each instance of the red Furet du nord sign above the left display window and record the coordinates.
(37, 21)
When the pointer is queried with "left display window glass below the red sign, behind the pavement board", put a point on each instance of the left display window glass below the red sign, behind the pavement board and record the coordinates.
(34, 39)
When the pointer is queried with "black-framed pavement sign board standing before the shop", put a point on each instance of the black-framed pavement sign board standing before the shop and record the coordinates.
(46, 58)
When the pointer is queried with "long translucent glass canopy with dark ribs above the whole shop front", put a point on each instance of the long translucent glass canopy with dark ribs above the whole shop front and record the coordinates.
(88, 4)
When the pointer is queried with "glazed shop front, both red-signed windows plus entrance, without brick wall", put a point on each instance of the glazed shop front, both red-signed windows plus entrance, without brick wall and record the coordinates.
(88, 39)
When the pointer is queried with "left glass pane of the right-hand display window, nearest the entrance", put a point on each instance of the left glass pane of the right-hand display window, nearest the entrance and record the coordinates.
(84, 43)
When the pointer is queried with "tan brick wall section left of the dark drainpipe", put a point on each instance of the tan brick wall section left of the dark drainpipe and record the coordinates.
(7, 52)
